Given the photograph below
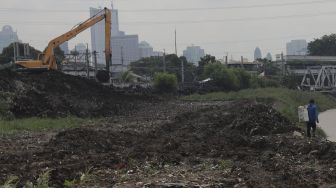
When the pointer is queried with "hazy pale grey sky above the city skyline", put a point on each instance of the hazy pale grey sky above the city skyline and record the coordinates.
(235, 27)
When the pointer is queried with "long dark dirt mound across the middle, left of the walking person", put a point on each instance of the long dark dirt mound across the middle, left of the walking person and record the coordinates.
(211, 132)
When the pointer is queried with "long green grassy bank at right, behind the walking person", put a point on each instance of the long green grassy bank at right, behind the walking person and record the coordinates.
(285, 100)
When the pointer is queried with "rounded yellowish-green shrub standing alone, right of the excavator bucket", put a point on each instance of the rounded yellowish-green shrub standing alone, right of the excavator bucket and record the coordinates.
(165, 83)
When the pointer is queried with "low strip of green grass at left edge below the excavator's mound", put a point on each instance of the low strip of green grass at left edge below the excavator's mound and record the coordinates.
(39, 124)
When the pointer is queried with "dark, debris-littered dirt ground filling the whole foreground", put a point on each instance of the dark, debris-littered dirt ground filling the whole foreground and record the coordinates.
(177, 144)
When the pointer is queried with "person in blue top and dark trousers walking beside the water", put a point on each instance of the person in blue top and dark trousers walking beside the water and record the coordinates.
(313, 118)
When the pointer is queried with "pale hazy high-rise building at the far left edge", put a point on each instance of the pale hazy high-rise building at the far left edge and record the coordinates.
(7, 36)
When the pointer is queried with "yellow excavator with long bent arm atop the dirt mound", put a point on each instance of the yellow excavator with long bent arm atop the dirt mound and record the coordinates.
(47, 60)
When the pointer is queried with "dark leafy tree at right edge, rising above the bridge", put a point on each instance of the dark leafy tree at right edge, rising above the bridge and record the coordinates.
(325, 46)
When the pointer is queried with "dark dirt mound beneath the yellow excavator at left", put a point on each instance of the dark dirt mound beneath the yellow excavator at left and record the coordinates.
(55, 94)
